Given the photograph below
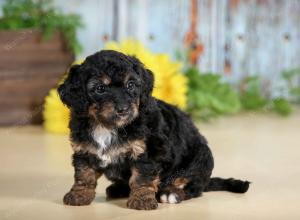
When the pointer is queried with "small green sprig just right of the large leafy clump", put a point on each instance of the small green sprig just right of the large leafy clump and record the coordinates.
(251, 95)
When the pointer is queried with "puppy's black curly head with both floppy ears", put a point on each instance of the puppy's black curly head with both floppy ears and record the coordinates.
(109, 86)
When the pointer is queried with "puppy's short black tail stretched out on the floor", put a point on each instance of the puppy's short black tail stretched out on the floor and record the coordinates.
(231, 185)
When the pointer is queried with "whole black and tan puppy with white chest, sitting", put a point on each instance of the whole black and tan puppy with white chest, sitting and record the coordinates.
(150, 150)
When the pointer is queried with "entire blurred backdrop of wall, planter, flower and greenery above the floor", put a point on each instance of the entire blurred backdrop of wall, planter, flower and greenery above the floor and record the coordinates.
(210, 58)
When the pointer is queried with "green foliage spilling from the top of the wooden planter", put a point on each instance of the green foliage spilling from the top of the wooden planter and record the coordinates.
(41, 15)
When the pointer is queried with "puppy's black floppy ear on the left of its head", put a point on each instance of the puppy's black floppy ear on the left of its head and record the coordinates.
(73, 92)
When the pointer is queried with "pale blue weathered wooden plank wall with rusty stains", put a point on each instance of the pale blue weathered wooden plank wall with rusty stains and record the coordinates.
(240, 37)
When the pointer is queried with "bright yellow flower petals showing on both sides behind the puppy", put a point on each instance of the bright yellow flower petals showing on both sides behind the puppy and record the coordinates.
(170, 84)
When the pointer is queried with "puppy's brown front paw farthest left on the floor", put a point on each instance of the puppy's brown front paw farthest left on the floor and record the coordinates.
(79, 198)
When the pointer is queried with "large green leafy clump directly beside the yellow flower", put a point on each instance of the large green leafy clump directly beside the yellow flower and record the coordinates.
(208, 96)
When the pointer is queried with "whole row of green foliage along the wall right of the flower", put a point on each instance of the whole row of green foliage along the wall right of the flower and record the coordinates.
(209, 97)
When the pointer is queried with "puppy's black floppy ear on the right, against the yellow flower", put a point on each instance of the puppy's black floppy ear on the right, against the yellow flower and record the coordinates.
(147, 78)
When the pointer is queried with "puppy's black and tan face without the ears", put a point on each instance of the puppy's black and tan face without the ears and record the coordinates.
(114, 99)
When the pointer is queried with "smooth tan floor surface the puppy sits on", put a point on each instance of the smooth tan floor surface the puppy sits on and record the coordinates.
(35, 173)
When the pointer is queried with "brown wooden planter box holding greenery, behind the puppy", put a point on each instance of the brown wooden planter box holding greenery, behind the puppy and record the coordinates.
(29, 68)
